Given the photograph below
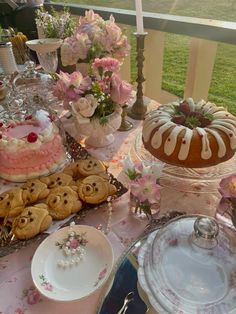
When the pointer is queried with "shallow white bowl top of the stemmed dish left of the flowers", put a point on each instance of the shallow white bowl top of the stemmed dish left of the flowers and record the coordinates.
(44, 45)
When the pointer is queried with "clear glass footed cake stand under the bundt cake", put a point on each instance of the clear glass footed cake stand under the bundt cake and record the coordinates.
(193, 190)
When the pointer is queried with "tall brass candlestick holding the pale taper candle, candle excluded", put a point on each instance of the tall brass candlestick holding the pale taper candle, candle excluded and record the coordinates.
(139, 109)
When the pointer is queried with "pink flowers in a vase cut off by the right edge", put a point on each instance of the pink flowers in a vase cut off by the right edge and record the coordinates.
(226, 210)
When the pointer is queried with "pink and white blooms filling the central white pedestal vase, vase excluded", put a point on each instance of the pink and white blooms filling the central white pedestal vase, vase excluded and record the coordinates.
(95, 95)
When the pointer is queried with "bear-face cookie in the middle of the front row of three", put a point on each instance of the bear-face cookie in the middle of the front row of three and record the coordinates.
(62, 202)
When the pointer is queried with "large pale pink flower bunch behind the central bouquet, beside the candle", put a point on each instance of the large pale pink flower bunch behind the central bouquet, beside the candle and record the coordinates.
(94, 38)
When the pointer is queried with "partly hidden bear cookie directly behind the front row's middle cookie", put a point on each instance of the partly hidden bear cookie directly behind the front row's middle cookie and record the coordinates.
(58, 179)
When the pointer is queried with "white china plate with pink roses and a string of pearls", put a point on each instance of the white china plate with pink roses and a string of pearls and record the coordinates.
(61, 277)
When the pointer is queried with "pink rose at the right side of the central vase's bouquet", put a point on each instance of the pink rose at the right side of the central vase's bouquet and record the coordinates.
(120, 90)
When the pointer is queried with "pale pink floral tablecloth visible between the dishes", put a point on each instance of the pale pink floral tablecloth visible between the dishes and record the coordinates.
(17, 292)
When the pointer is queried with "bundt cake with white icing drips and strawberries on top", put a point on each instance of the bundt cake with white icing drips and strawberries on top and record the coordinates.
(189, 134)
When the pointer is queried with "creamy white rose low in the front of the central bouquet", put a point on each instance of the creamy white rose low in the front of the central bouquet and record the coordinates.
(85, 106)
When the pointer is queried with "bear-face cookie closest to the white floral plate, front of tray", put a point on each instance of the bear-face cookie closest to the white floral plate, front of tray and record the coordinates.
(32, 221)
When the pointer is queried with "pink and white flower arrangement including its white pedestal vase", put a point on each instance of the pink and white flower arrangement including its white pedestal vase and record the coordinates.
(95, 100)
